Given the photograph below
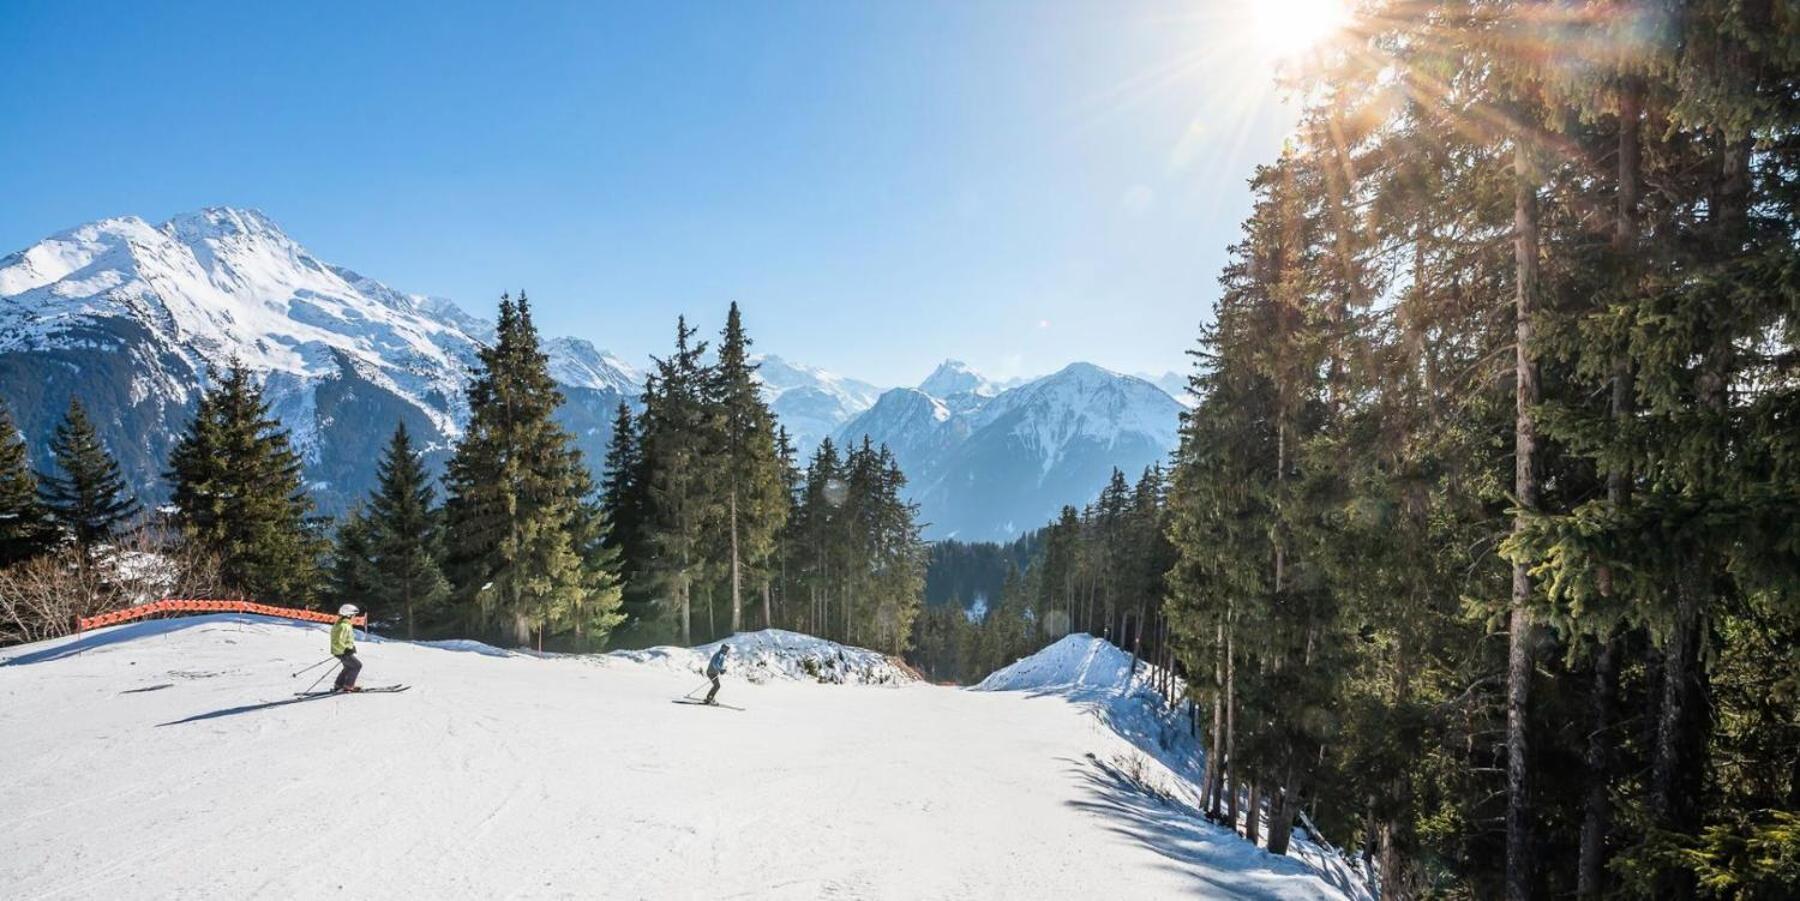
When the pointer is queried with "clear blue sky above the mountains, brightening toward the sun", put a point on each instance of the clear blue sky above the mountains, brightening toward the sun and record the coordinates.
(879, 184)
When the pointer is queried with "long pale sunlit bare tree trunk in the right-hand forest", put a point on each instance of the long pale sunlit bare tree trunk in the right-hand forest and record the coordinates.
(1522, 862)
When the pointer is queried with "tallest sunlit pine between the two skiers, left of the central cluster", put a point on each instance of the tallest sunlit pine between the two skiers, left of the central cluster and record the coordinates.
(517, 517)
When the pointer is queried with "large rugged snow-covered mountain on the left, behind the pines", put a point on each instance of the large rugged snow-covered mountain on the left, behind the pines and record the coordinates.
(130, 317)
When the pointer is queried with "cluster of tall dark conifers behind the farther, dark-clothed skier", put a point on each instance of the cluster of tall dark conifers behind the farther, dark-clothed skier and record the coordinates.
(724, 533)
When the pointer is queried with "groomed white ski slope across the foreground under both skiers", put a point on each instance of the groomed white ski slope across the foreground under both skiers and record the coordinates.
(172, 758)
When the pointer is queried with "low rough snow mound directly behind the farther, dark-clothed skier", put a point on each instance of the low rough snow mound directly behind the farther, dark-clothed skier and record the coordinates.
(780, 656)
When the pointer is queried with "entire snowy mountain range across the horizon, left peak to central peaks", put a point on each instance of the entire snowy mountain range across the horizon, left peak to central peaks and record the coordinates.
(130, 317)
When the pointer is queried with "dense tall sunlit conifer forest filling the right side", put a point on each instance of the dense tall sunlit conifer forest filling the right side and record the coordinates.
(1504, 373)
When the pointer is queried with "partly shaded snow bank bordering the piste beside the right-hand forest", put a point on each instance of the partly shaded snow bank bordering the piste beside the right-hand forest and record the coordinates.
(1099, 677)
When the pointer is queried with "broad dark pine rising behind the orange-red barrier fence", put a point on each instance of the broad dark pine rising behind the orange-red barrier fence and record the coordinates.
(238, 494)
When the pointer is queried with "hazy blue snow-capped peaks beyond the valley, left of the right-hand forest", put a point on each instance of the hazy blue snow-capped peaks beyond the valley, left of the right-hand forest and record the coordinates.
(991, 467)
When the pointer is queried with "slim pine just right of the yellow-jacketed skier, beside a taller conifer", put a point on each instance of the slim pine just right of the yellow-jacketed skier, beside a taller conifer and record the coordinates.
(406, 537)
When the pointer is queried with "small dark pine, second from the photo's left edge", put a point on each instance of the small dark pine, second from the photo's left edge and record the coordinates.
(89, 497)
